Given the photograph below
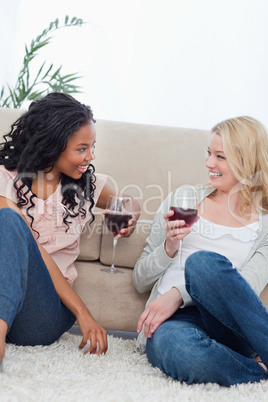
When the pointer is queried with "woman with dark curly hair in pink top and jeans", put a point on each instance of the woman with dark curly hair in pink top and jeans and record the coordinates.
(48, 190)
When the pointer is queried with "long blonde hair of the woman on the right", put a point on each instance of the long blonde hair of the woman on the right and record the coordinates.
(245, 144)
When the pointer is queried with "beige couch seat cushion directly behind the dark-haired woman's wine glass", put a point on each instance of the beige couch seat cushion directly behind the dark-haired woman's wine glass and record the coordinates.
(129, 249)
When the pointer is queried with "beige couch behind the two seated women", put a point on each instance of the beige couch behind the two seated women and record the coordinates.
(146, 162)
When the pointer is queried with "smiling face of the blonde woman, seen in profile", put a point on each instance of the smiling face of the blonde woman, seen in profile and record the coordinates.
(220, 174)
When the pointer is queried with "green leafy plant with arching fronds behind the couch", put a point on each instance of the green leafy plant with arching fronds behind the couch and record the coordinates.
(47, 79)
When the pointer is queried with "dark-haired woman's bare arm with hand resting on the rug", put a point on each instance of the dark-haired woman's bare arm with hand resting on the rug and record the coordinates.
(89, 327)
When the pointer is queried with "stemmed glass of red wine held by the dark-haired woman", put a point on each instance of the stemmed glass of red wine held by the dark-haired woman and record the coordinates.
(117, 214)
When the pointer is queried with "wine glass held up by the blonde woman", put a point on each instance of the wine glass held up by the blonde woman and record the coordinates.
(184, 206)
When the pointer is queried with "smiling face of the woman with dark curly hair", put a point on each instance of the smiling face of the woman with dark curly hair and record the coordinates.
(74, 160)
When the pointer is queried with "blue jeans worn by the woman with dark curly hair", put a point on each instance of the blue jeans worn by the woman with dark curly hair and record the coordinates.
(28, 300)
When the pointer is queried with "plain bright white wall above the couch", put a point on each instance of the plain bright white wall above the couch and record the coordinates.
(187, 63)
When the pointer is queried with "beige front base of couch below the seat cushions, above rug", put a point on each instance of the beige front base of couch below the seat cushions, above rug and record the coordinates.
(112, 299)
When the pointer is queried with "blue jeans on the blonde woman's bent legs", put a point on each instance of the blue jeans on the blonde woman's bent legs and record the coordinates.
(216, 339)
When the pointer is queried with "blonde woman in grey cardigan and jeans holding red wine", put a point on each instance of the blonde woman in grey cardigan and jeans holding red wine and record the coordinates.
(209, 324)
